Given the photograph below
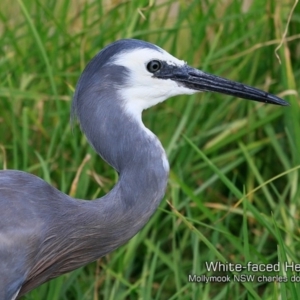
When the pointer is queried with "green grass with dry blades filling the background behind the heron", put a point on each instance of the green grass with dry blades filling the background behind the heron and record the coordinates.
(233, 193)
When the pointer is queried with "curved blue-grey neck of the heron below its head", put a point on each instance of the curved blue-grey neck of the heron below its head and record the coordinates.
(140, 160)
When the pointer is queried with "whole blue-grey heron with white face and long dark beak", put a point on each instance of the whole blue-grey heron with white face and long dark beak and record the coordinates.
(45, 233)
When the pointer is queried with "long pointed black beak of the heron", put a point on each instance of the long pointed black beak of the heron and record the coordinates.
(201, 81)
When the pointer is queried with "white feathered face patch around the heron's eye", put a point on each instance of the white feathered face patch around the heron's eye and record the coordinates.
(143, 90)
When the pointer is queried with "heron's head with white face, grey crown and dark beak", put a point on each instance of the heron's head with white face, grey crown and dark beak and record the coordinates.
(142, 75)
